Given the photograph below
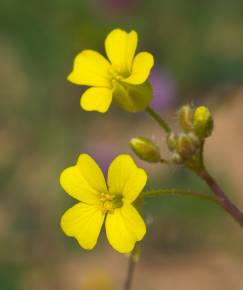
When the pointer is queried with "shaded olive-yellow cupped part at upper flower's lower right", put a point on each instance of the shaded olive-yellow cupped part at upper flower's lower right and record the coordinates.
(133, 98)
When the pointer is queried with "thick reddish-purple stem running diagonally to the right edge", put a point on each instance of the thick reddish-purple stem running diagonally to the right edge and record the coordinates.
(221, 197)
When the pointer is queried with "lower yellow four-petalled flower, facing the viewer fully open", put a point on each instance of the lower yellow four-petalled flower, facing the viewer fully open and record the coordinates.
(99, 202)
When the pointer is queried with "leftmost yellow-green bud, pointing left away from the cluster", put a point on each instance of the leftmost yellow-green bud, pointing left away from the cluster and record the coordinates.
(145, 149)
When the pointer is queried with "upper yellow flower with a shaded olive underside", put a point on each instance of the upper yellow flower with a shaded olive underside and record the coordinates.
(122, 77)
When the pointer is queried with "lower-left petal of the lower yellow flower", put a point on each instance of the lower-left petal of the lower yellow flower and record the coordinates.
(83, 222)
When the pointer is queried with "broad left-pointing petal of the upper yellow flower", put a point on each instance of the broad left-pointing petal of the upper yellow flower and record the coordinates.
(91, 69)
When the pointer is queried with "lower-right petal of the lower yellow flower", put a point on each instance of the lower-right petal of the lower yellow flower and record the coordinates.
(124, 227)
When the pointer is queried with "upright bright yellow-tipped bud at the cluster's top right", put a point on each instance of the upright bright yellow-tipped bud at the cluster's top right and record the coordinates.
(203, 122)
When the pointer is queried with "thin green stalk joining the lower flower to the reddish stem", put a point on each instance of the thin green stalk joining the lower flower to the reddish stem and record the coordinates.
(178, 192)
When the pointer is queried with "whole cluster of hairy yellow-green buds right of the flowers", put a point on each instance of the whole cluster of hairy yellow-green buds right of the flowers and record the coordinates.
(186, 146)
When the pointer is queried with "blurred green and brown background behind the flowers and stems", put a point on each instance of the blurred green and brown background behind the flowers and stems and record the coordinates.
(198, 46)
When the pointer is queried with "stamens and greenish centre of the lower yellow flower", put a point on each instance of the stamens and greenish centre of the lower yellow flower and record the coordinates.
(109, 202)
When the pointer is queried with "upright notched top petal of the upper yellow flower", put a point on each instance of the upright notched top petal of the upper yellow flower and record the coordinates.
(120, 48)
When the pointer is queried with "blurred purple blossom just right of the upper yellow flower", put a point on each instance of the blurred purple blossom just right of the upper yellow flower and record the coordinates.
(164, 90)
